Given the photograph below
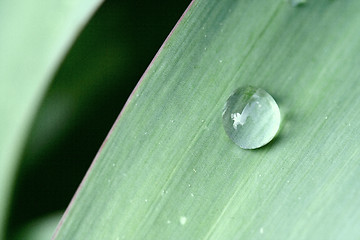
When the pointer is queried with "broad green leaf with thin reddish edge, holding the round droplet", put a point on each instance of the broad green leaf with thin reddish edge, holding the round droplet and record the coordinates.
(167, 170)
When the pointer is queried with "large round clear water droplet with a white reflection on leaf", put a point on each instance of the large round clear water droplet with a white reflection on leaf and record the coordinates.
(251, 117)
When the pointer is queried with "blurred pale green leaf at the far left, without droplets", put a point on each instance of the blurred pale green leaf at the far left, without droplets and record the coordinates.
(35, 35)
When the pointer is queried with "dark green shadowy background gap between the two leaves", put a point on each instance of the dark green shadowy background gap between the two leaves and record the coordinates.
(82, 103)
